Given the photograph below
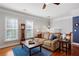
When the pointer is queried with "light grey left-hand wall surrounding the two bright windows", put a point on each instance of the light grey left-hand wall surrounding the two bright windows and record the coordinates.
(39, 23)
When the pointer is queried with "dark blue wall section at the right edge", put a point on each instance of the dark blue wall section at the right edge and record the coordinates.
(76, 29)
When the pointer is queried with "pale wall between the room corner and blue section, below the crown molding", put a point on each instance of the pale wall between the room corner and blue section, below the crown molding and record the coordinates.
(64, 24)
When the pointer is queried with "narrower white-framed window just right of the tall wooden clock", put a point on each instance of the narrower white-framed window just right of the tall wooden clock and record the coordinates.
(29, 29)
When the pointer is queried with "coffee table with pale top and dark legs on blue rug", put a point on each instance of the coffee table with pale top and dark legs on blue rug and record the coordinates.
(31, 46)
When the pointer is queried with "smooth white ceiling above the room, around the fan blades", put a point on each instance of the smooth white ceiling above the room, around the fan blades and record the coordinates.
(36, 8)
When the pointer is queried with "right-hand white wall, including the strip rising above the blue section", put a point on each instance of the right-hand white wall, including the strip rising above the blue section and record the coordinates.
(65, 23)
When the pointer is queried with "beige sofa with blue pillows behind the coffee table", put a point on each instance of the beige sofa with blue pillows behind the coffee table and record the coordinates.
(47, 43)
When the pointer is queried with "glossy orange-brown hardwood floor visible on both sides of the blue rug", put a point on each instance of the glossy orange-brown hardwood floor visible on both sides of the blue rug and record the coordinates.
(8, 52)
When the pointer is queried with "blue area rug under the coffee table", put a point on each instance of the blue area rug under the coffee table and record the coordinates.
(19, 51)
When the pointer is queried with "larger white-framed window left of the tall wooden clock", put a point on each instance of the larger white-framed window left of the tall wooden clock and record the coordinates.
(11, 29)
